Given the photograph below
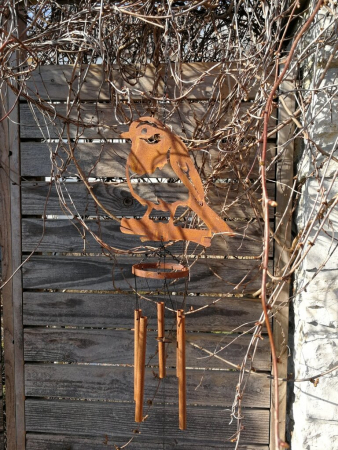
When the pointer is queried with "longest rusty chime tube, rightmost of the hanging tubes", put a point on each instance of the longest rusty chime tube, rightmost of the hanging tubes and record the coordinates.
(182, 400)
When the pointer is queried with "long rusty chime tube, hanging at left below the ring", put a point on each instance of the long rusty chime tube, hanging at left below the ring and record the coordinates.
(141, 361)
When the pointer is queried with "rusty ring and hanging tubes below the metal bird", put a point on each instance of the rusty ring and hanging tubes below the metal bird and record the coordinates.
(160, 271)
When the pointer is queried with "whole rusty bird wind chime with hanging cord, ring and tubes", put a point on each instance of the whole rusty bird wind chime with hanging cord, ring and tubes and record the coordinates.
(154, 146)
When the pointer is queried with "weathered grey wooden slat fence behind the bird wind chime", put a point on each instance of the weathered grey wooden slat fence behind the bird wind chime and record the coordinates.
(68, 314)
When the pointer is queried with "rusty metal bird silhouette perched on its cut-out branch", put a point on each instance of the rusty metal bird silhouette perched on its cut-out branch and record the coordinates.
(154, 146)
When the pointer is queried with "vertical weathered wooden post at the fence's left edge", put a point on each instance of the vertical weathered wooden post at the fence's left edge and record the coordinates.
(10, 217)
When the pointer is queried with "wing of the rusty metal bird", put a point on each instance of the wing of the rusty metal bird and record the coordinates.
(185, 169)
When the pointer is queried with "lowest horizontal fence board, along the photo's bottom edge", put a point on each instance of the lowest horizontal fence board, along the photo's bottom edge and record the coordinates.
(59, 442)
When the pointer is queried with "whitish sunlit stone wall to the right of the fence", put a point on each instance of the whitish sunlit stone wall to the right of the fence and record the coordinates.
(315, 339)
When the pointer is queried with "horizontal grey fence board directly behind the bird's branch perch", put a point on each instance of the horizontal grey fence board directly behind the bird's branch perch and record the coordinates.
(67, 236)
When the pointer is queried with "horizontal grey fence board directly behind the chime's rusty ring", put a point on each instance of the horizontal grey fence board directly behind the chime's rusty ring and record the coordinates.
(207, 275)
